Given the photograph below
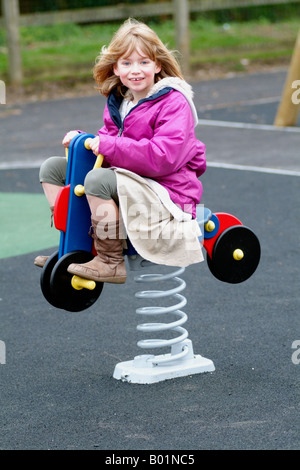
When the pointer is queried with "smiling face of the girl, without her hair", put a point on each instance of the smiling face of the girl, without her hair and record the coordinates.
(137, 72)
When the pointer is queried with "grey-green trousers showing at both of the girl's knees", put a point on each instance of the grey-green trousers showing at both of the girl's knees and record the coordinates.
(100, 182)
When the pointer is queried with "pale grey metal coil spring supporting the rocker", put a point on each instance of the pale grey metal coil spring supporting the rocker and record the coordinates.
(174, 309)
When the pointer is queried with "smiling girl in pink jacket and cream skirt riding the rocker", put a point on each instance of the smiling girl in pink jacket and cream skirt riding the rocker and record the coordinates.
(152, 159)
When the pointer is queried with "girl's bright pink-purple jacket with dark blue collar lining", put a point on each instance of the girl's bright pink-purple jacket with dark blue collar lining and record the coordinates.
(157, 140)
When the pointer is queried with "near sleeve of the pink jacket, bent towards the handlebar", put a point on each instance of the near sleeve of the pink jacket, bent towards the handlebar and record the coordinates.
(171, 146)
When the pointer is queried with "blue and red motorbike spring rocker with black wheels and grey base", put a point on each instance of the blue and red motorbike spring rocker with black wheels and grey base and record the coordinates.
(233, 254)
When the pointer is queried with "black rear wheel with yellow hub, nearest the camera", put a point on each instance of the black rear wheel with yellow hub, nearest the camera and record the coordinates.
(235, 255)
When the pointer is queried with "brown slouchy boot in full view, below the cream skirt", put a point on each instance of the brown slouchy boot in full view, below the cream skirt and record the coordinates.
(109, 264)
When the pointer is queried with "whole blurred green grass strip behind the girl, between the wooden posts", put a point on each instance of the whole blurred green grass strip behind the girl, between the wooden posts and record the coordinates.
(69, 51)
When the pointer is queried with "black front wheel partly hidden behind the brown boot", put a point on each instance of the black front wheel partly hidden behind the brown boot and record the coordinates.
(64, 294)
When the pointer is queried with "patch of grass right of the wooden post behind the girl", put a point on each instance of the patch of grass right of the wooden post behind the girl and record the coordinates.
(237, 43)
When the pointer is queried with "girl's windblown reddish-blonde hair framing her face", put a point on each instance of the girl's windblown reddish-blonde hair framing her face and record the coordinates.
(130, 36)
